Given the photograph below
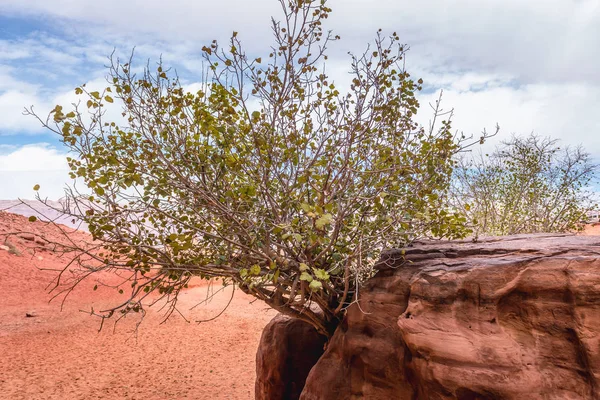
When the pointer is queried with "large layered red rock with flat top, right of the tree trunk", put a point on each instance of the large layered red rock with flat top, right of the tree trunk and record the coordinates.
(510, 318)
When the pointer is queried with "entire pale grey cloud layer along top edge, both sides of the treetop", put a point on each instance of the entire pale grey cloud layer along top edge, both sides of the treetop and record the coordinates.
(532, 40)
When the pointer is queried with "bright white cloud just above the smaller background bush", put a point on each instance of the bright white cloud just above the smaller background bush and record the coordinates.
(563, 111)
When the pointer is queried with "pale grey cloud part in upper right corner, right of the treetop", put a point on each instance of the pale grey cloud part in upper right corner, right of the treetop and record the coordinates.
(532, 40)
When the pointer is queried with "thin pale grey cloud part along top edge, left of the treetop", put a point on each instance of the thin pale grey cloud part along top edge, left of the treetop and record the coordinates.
(180, 20)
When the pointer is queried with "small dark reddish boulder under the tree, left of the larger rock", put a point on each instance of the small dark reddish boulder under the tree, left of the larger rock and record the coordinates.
(288, 349)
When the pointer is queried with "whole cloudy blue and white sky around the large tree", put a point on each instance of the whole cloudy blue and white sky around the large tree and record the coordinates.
(527, 65)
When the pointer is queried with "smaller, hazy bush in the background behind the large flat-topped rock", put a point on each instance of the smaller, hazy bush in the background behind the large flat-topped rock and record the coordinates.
(527, 185)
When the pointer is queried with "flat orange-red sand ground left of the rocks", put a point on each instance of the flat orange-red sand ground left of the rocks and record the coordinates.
(61, 355)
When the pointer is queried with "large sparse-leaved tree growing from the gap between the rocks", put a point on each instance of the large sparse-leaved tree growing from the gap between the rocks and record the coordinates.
(270, 177)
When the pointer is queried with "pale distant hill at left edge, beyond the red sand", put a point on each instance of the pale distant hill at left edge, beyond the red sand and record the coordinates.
(42, 212)
